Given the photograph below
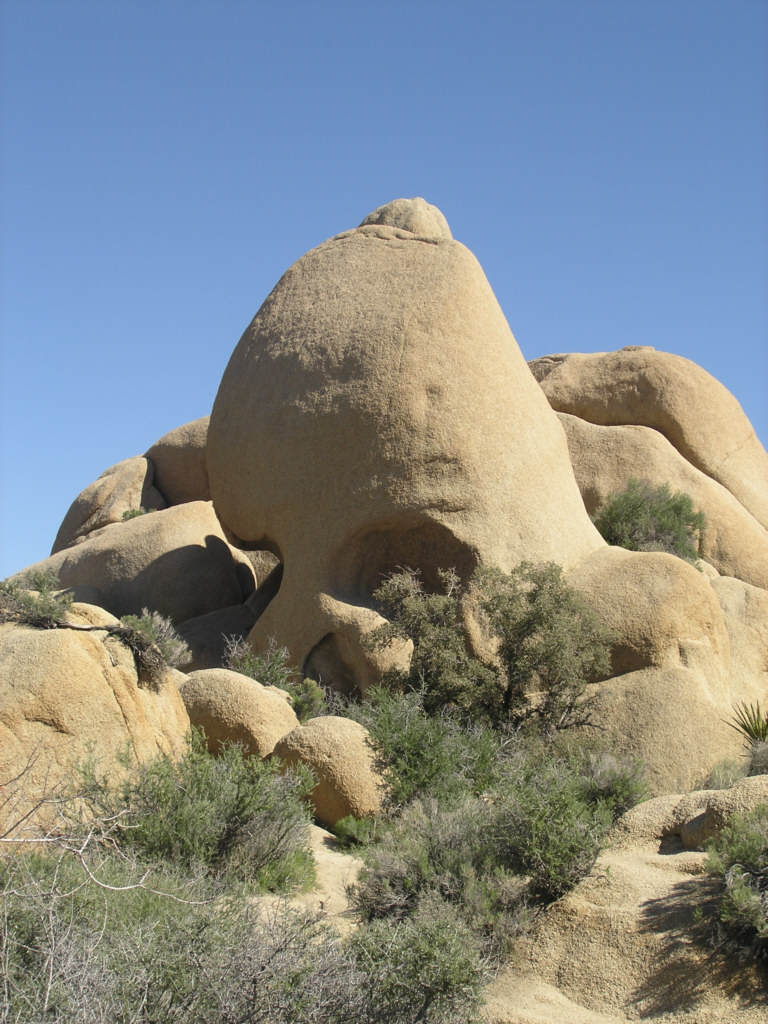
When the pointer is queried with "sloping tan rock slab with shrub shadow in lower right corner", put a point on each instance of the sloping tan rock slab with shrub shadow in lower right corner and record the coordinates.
(628, 945)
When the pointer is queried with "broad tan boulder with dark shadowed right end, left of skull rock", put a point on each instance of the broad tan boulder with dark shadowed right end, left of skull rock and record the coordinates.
(176, 562)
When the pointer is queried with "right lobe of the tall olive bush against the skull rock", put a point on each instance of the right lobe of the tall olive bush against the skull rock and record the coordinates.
(551, 646)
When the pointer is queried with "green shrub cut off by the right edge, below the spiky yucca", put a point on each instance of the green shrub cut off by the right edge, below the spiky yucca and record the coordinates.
(740, 856)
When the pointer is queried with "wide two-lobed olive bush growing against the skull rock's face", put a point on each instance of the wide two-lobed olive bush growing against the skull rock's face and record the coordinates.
(550, 647)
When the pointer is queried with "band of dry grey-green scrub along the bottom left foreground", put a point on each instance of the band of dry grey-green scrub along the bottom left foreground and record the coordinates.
(73, 950)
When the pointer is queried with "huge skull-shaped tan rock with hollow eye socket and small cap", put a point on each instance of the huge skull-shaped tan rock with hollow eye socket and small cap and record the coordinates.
(378, 414)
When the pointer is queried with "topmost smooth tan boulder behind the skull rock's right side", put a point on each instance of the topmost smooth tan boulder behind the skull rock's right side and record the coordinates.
(639, 386)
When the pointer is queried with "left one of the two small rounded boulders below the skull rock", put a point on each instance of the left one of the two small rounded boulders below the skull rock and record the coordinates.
(235, 709)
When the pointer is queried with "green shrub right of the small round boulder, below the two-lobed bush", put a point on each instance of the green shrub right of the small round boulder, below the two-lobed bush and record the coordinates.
(426, 755)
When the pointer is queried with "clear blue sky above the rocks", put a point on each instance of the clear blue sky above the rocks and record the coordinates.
(165, 161)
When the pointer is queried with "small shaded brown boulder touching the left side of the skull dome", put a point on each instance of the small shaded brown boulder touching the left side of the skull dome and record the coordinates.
(180, 461)
